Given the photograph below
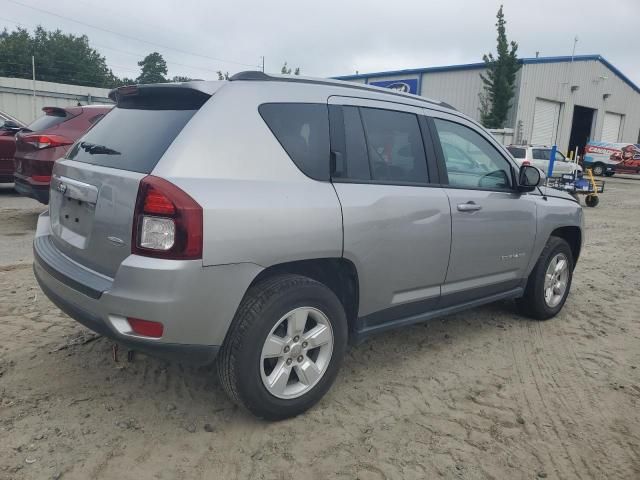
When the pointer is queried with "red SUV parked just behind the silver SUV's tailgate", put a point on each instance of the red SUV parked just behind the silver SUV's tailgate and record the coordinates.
(47, 139)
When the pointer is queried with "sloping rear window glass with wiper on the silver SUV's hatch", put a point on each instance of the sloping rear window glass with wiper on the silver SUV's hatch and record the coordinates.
(130, 139)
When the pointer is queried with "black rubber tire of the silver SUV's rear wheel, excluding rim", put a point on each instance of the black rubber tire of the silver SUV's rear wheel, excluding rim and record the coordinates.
(239, 364)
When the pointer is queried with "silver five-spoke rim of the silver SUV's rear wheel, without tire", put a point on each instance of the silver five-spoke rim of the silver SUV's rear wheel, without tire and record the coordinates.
(296, 353)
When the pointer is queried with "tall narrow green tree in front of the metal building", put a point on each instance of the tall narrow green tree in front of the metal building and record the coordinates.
(499, 80)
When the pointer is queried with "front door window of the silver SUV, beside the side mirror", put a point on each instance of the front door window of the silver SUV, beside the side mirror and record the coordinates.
(471, 161)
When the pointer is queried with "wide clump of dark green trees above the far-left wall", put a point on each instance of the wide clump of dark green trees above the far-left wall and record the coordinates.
(59, 57)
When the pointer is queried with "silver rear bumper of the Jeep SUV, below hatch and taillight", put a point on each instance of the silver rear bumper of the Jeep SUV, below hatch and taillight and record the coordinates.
(195, 304)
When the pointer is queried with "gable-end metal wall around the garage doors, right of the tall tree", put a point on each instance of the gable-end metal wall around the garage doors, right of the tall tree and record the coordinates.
(553, 81)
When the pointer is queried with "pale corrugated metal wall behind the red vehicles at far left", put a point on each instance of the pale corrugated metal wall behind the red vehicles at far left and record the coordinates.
(16, 97)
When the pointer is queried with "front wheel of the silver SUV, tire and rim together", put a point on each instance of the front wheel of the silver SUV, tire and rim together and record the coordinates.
(549, 282)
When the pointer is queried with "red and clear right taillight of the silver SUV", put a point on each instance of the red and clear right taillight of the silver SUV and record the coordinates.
(167, 222)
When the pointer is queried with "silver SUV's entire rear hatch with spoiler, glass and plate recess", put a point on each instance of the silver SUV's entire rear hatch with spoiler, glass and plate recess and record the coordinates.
(94, 188)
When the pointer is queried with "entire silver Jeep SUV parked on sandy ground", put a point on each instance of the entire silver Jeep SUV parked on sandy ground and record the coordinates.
(269, 221)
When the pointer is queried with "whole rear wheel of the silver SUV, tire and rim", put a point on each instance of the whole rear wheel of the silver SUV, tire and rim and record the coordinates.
(284, 348)
